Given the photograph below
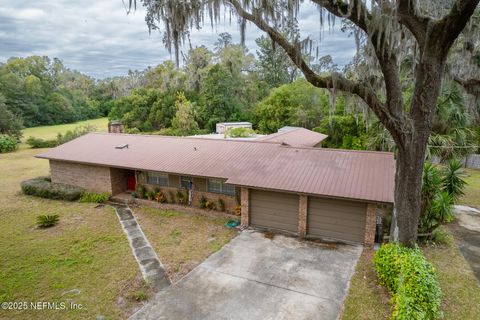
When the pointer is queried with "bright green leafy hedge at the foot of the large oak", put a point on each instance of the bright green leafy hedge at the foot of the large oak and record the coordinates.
(411, 281)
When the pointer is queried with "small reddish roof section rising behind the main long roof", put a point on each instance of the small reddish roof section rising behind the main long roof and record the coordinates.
(297, 137)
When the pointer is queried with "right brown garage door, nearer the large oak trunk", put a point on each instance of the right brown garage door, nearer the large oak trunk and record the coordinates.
(336, 219)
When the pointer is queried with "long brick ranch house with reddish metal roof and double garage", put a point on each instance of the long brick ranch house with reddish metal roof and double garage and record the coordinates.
(309, 192)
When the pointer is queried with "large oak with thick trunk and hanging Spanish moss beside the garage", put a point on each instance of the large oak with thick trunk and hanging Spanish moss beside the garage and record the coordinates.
(433, 28)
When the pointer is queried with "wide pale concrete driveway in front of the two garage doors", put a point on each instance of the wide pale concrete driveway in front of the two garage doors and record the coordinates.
(254, 277)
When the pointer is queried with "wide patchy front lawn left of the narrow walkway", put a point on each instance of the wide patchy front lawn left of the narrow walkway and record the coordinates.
(86, 252)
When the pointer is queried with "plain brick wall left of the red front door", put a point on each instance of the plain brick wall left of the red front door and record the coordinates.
(94, 178)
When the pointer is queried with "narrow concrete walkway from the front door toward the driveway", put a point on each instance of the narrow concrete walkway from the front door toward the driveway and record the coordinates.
(150, 266)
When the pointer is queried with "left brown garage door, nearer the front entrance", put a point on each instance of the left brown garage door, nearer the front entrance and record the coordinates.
(274, 210)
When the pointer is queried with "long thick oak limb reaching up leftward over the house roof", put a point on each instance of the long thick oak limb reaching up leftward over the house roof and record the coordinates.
(337, 81)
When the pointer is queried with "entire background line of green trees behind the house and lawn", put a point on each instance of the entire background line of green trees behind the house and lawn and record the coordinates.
(225, 84)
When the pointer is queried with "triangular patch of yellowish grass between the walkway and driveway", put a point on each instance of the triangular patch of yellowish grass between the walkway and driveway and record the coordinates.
(182, 240)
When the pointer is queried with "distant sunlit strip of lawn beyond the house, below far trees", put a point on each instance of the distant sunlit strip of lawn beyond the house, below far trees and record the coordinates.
(50, 132)
